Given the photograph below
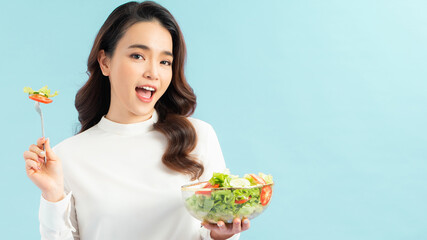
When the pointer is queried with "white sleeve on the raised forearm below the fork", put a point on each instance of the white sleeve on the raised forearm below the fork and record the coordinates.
(55, 219)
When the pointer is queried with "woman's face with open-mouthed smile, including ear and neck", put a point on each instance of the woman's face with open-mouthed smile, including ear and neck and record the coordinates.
(140, 71)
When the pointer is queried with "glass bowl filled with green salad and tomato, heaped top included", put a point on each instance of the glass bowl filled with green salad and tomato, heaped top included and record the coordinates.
(225, 197)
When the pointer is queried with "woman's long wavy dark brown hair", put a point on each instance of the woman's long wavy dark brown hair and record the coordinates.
(178, 102)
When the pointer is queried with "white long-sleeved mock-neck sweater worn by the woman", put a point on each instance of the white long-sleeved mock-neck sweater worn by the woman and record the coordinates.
(118, 188)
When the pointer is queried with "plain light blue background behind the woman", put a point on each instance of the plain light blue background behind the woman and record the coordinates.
(327, 96)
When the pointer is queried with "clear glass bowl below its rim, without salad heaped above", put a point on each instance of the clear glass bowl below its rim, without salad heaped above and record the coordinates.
(215, 204)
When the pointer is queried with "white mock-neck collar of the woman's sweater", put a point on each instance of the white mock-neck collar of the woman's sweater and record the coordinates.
(130, 128)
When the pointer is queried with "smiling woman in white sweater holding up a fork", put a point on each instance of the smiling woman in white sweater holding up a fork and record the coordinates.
(120, 176)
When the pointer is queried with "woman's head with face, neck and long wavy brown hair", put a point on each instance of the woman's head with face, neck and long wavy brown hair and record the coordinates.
(132, 62)
